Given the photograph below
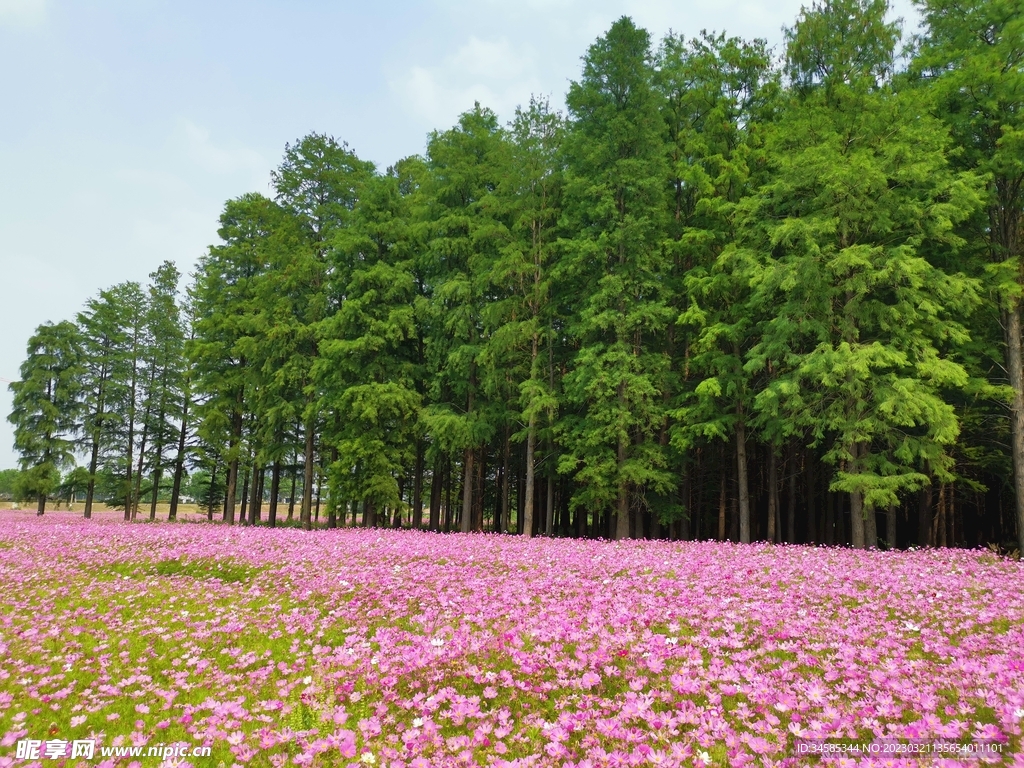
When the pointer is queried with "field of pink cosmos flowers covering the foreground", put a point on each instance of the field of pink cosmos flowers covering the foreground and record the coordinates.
(407, 650)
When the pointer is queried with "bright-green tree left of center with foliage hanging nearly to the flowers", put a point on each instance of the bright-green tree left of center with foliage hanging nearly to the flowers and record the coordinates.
(367, 366)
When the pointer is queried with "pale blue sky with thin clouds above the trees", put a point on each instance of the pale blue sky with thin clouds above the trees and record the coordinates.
(126, 124)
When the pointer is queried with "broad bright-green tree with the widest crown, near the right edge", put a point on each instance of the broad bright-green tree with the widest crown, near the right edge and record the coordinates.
(857, 321)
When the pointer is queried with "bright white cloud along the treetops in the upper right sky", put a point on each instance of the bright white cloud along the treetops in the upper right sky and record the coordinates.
(548, 37)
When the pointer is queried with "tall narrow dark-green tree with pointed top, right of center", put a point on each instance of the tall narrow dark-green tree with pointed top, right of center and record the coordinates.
(615, 203)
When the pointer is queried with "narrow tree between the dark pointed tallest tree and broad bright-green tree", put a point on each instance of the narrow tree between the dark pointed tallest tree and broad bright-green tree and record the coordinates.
(719, 95)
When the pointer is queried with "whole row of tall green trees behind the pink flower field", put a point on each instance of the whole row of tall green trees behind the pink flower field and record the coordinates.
(720, 298)
